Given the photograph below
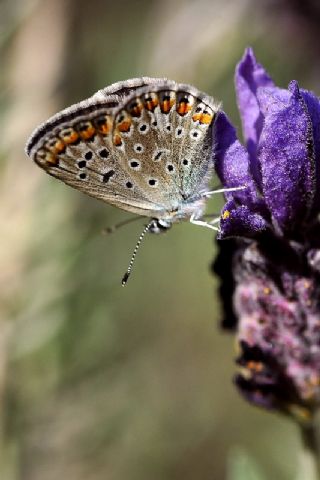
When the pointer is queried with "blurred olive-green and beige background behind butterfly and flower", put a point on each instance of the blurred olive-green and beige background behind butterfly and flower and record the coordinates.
(97, 381)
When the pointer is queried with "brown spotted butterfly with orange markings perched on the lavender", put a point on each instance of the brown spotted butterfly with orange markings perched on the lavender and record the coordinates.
(144, 145)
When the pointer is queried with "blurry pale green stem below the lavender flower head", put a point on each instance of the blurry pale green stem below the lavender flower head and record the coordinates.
(310, 458)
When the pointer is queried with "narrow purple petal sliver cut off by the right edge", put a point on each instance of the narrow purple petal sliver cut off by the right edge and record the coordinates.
(313, 105)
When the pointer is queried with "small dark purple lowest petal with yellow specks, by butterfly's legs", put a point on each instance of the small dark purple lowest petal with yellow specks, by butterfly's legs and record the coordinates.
(240, 221)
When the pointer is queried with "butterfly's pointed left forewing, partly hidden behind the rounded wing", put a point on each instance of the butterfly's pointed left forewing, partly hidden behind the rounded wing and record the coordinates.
(76, 147)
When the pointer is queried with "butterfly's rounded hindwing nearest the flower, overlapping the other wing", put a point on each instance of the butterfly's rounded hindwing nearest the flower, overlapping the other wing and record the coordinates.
(163, 136)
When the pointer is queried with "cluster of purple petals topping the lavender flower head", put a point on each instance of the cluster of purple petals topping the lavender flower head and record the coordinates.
(281, 162)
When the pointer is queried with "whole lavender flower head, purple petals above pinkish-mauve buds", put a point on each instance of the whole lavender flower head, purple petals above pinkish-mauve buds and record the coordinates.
(275, 231)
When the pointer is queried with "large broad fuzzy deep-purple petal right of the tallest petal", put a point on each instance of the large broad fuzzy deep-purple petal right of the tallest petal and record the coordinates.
(287, 164)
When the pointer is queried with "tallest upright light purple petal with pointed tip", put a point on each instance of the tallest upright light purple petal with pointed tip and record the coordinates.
(250, 76)
